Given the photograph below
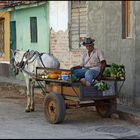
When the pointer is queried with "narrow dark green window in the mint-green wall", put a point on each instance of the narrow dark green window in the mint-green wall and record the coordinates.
(33, 29)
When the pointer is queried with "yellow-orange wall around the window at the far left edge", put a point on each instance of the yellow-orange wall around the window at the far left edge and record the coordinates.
(6, 16)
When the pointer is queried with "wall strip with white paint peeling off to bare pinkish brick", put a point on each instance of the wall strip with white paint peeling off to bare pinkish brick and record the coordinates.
(59, 38)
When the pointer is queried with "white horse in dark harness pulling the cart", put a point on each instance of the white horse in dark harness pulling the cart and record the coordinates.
(26, 62)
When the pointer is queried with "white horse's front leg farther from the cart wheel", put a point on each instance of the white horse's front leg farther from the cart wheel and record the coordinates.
(28, 84)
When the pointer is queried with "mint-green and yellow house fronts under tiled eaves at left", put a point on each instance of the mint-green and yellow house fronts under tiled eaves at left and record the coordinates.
(25, 26)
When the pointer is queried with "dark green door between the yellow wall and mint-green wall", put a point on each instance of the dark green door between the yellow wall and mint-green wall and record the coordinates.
(12, 37)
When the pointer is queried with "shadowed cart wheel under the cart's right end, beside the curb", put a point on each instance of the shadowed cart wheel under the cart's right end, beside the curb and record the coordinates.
(106, 107)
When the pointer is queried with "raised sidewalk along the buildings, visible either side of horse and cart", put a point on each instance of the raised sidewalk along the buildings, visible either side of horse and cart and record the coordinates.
(130, 114)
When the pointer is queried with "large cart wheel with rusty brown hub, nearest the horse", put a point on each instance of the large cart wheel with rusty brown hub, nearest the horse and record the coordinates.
(54, 108)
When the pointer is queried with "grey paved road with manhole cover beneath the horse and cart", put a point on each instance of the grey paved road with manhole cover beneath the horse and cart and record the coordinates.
(83, 123)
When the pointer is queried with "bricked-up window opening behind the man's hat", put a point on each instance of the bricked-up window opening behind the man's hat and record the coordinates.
(78, 23)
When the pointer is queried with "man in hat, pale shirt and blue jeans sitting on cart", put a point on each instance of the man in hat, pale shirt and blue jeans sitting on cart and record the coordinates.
(92, 65)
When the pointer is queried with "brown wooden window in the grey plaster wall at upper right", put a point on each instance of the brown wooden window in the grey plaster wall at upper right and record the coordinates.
(126, 19)
